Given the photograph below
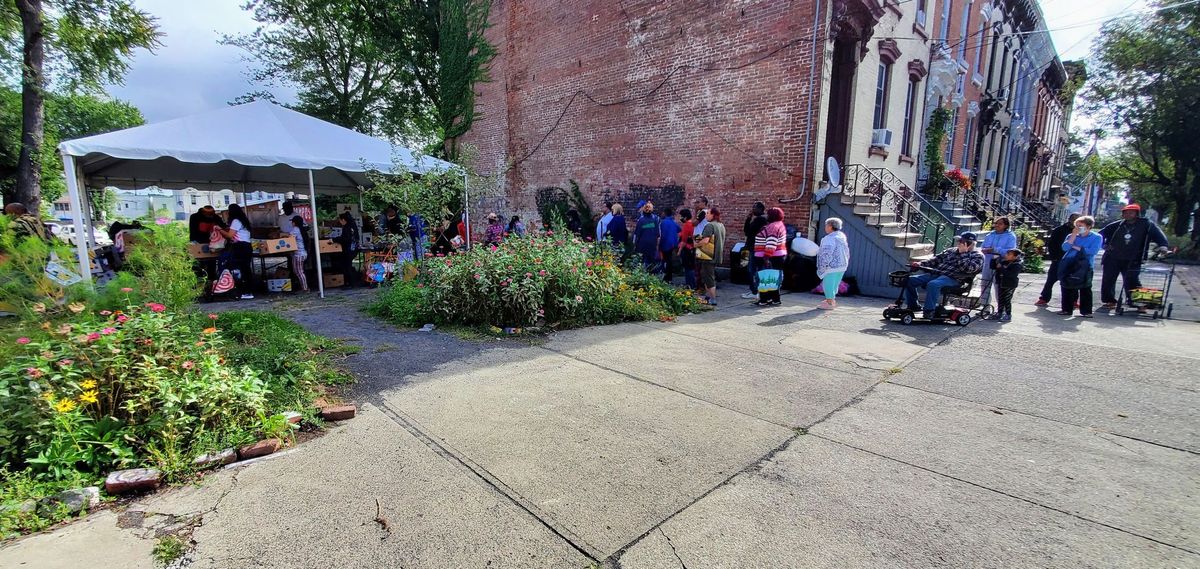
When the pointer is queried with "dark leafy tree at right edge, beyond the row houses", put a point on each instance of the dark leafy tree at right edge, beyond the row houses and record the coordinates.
(1144, 86)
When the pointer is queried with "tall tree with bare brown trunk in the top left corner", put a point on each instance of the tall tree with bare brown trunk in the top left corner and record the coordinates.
(77, 44)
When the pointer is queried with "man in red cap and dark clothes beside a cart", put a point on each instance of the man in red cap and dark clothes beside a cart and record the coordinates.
(1126, 243)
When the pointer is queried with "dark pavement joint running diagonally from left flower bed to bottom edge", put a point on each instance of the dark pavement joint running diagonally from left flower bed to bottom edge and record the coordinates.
(489, 481)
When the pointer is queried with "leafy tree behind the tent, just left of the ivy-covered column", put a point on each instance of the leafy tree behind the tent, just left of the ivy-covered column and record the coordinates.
(343, 75)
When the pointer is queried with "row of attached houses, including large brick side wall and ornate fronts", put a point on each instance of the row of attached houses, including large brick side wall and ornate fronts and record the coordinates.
(745, 101)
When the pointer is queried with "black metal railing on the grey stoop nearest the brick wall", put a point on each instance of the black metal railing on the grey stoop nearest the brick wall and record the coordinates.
(897, 203)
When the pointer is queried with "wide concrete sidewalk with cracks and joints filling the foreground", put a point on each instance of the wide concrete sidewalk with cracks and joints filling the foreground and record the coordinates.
(742, 438)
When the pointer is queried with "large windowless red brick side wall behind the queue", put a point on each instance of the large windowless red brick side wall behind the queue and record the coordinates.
(634, 128)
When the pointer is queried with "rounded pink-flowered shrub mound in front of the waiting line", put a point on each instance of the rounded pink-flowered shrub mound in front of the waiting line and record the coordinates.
(550, 279)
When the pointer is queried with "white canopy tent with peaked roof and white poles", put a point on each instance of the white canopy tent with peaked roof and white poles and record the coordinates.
(260, 146)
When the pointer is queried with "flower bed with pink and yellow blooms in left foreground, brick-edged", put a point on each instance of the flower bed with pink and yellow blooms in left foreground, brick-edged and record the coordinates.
(134, 375)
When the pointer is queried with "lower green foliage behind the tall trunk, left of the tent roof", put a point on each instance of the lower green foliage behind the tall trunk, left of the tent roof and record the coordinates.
(68, 116)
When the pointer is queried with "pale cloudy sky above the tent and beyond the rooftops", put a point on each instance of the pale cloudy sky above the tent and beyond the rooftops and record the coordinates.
(191, 73)
